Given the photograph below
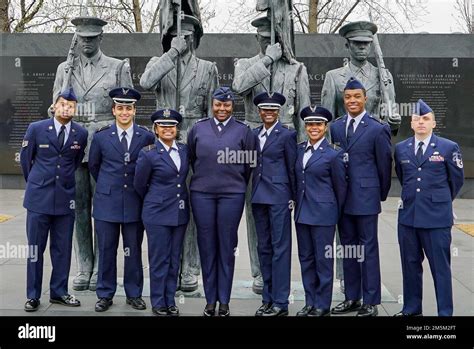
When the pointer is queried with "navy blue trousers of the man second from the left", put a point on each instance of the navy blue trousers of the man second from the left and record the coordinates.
(108, 234)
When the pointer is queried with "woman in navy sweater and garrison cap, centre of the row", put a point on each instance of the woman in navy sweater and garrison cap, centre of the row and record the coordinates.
(222, 152)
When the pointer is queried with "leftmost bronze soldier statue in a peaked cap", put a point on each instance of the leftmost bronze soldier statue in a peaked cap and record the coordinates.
(92, 75)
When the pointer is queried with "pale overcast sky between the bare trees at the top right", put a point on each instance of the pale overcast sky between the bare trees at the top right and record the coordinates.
(439, 17)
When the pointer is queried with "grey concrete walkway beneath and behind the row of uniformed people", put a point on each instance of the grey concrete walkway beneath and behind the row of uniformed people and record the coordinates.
(244, 302)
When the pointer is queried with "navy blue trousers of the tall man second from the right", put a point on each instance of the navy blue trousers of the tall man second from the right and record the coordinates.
(362, 268)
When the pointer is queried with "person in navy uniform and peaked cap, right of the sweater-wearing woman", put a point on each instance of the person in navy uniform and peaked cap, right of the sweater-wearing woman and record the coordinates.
(273, 193)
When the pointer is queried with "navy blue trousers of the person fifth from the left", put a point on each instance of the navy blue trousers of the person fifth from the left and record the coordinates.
(273, 226)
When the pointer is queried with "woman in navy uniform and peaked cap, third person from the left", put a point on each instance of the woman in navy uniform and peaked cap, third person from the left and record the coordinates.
(160, 179)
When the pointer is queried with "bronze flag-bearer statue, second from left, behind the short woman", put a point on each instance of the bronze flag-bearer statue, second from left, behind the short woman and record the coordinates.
(190, 94)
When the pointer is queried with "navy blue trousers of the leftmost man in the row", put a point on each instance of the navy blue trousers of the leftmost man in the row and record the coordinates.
(38, 226)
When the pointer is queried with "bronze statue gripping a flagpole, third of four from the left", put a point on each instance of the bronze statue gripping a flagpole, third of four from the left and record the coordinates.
(273, 69)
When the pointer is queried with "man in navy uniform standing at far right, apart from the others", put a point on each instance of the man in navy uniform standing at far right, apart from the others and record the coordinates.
(430, 170)
